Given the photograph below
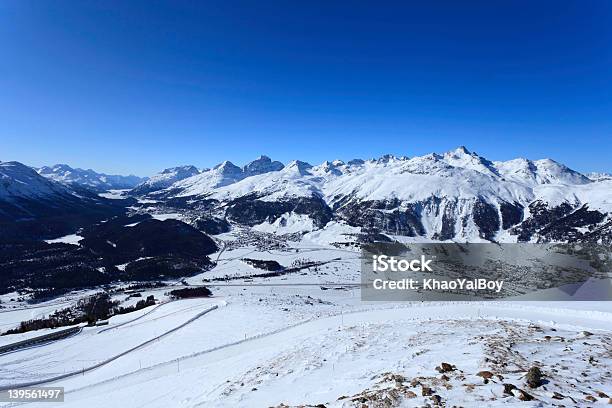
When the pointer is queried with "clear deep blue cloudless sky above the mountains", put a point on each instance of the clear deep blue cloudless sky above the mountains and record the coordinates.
(132, 86)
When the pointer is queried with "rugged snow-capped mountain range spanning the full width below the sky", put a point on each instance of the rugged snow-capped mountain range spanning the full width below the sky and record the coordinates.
(457, 195)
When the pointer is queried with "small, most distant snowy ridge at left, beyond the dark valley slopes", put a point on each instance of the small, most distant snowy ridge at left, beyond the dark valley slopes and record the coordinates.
(88, 178)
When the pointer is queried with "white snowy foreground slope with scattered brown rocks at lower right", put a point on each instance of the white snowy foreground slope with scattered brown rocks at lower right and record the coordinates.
(251, 353)
